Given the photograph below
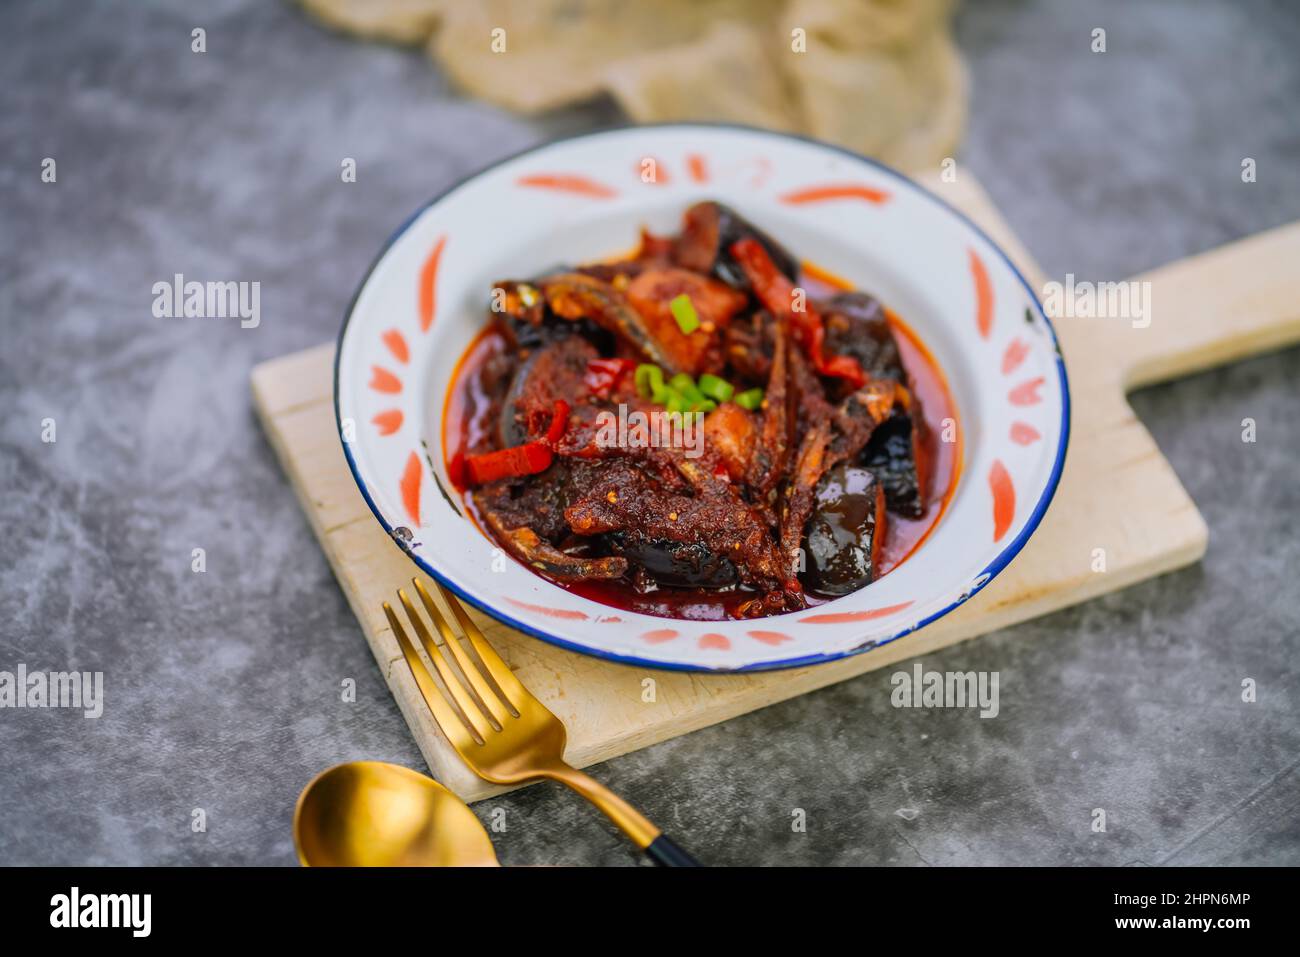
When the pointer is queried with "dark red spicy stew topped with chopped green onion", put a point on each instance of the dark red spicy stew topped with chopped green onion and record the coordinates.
(707, 430)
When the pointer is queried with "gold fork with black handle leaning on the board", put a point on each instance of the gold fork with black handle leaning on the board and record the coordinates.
(499, 728)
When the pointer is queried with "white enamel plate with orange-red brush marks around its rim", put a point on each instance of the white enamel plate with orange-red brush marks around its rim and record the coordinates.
(586, 200)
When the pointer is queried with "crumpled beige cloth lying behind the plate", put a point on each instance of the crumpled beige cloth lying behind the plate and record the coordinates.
(881, 77)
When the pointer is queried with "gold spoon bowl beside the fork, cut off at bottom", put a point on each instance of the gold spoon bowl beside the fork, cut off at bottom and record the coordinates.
(375, 815)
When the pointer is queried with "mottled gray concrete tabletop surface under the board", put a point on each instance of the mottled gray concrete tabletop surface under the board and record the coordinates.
(223, 688)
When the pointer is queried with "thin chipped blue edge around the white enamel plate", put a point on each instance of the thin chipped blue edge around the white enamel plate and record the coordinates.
(986, 577)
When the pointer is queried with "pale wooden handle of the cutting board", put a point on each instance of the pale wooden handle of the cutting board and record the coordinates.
(1215, 309)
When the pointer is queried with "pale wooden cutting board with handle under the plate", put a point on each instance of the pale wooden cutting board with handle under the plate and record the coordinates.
(1117, 493)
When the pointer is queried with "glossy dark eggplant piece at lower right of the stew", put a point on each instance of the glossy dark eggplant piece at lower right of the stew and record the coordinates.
(847, 531)
